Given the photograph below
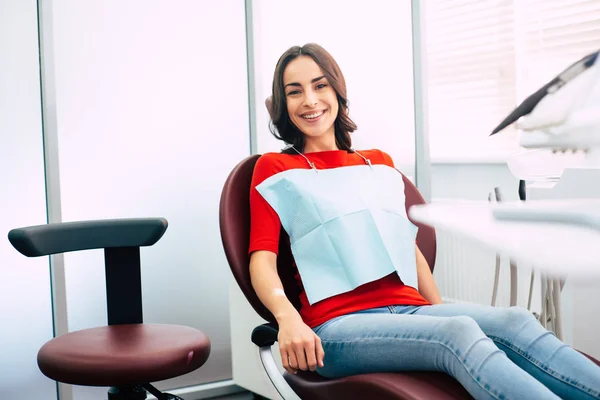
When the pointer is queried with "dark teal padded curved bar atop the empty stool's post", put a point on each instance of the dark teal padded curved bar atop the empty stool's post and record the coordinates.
(62, 237)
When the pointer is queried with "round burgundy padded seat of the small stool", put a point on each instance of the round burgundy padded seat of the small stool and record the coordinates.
(123, 355)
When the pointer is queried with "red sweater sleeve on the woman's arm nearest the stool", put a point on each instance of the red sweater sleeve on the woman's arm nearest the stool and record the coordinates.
(265, 225)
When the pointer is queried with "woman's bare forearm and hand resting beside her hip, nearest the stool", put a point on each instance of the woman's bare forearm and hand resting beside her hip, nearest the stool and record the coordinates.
(299, 346)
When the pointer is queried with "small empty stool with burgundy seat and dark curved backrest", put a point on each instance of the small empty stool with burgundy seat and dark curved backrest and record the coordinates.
(127, 354)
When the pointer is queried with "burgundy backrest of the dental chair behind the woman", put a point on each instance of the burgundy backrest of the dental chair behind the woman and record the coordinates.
(234, 220)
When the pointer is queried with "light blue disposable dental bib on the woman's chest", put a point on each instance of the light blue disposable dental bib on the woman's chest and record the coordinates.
(347, 226)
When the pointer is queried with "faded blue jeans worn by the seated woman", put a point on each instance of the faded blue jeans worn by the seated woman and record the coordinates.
(495, 353)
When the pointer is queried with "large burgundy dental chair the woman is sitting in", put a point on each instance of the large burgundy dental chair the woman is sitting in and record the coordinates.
(235, 233)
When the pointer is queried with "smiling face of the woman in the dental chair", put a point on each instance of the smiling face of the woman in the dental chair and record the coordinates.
(311, 101)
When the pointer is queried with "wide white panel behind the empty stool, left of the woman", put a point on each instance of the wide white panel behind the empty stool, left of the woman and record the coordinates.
(152, 113)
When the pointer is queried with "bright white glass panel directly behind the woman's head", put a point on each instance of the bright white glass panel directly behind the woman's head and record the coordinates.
(372, 45)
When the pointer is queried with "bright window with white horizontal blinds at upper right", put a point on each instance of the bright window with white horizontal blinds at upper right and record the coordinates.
(485, 56)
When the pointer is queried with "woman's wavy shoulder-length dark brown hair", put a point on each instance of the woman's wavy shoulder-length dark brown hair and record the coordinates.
(281, 126)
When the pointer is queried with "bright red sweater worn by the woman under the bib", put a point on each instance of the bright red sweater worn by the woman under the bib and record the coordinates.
(265, 229)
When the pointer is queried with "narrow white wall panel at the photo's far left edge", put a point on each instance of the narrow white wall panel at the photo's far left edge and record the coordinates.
(25, 302)
